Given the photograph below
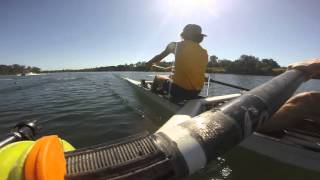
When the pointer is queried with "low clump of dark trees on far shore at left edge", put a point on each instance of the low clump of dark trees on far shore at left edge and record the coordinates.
(17, 69)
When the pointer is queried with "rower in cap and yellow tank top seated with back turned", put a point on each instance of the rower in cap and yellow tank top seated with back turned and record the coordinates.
(190, 65)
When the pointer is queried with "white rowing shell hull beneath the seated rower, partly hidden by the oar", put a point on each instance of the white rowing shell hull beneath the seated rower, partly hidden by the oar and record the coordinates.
(297, 146)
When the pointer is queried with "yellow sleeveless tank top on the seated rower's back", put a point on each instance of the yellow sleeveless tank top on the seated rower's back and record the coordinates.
(190, 65)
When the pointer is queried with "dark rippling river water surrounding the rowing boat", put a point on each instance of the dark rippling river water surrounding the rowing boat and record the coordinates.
(92, 108)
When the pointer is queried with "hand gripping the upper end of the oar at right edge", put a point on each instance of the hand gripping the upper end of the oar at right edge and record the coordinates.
(310, 67)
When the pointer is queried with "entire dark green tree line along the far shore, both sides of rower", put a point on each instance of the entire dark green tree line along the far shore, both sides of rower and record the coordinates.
(245, 64)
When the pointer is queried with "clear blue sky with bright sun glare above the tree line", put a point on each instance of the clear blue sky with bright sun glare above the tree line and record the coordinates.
(64, 34)
